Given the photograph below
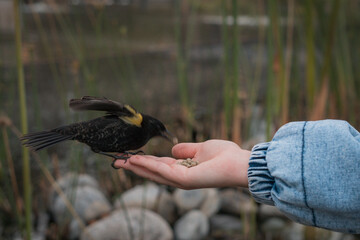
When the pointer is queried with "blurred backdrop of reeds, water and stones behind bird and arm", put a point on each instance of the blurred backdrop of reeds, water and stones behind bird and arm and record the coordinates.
(235, 70)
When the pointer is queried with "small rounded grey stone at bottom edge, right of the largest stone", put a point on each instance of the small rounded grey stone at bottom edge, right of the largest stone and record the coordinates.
(193, 225)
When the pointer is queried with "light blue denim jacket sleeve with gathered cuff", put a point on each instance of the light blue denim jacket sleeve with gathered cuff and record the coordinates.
(311, 172)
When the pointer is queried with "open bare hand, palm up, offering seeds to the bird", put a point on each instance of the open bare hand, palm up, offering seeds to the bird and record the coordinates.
(221, 164)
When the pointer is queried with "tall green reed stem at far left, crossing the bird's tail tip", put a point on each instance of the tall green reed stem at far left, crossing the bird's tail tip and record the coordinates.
(23, 116)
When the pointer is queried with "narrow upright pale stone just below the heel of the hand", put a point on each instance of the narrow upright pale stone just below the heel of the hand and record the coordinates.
(211, 203)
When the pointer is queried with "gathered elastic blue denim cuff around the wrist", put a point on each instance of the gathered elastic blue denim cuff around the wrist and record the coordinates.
(260, 180)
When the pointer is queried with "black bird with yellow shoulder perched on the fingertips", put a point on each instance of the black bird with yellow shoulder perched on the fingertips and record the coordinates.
(121, 130)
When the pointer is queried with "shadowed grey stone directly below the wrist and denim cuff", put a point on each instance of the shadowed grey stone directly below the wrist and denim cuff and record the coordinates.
(235, 202)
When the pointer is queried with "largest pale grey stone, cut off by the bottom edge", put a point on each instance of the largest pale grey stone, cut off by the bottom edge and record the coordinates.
(144, 224)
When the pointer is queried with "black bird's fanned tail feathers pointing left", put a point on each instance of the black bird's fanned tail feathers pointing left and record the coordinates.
(39, 140)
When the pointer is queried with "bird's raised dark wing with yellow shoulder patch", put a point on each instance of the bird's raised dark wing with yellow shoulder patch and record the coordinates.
(123, 111)
